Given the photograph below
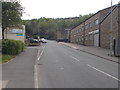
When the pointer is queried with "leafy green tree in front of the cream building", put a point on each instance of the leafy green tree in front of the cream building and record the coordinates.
(11, 15)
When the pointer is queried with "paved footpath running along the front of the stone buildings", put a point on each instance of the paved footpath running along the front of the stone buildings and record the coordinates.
(97, 51)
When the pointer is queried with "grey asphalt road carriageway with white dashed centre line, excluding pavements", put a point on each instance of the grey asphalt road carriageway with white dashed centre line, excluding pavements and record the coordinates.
(64, 67)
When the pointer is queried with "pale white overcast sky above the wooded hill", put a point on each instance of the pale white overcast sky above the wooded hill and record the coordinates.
(62, 8)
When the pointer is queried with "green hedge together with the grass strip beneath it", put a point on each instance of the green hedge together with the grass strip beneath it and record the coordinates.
(11, 48)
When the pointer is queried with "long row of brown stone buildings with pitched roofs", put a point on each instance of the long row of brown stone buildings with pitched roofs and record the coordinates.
(96, 30)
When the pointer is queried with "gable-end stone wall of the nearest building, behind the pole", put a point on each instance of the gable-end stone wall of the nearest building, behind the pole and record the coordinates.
(105, 29)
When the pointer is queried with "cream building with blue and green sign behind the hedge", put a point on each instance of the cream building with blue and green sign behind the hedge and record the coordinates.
(15, 33)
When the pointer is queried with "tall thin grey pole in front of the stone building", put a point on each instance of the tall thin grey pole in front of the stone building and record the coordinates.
(111, 37)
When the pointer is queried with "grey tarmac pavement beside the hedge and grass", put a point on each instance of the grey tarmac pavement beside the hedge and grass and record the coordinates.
(19, 72)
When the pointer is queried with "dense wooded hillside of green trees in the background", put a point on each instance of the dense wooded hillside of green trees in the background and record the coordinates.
(48, 27)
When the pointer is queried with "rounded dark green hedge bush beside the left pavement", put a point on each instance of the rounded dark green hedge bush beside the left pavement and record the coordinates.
(12, 47)
